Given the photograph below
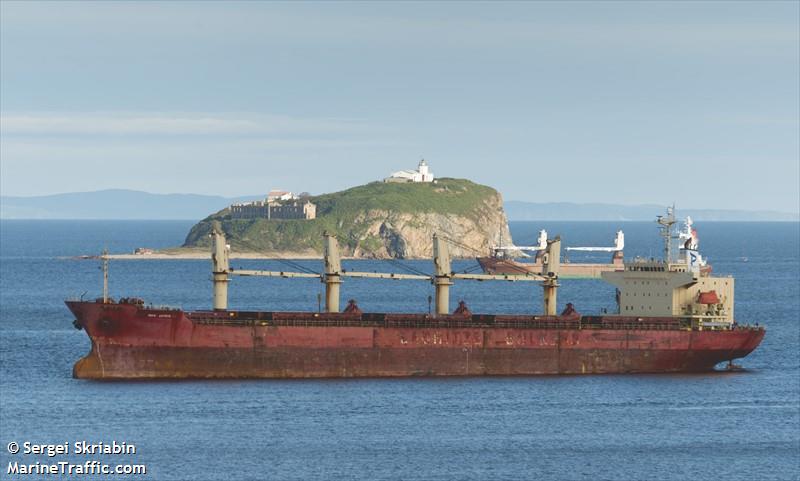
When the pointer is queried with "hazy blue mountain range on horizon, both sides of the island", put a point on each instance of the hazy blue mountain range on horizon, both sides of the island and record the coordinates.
(131, 204)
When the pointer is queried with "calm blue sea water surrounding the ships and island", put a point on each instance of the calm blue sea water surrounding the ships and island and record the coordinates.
(716, 426)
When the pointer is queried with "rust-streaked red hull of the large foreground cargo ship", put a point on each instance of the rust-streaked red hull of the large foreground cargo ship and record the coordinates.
(130, 341)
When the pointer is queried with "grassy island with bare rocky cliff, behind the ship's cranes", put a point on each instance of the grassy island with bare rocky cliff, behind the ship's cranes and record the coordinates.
(377, 220)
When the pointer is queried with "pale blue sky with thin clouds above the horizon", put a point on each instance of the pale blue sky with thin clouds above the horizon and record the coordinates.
(620, 102)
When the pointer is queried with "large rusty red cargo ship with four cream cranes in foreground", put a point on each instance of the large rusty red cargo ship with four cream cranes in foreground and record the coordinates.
(671, 317)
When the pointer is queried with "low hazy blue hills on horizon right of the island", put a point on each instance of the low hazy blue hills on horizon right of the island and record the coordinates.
(517, 210)
